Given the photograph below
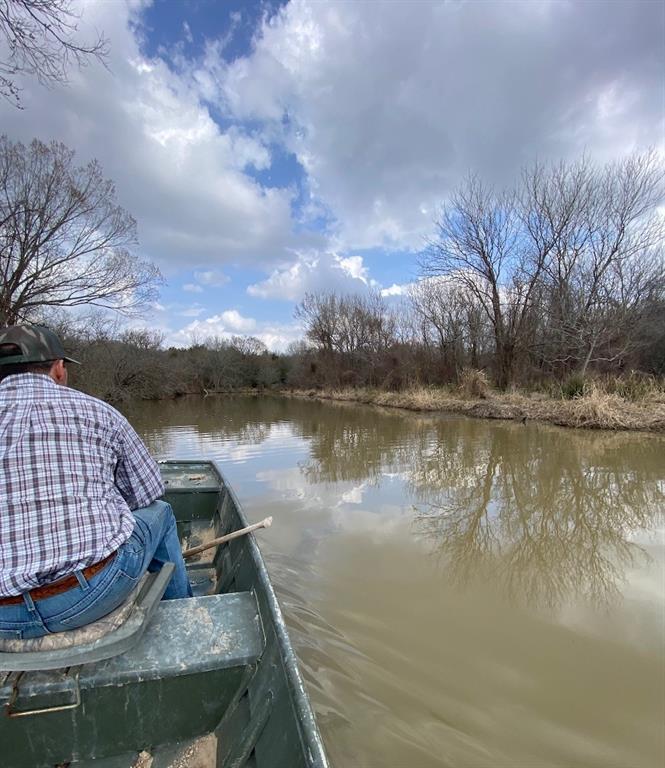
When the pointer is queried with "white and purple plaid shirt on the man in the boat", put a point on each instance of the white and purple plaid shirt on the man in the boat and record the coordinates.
(71, 469)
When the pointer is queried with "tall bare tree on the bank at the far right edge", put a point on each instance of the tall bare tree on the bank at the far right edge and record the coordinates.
(607, 264)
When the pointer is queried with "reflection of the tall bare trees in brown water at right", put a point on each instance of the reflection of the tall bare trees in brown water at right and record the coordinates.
(546, 514)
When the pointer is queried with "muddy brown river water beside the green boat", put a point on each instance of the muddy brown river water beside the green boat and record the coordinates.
(459, 592)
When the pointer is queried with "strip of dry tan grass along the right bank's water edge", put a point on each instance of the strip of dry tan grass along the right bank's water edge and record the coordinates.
(595, 409)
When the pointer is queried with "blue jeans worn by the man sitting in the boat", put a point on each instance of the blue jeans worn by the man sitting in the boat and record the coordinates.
(153, 542)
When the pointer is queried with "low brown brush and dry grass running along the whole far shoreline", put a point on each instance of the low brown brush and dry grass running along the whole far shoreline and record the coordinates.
(135, 366)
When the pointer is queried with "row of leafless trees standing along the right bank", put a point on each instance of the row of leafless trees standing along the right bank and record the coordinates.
(559, 276)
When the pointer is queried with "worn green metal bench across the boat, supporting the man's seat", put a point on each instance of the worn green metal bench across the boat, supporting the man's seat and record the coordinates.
(175, 684)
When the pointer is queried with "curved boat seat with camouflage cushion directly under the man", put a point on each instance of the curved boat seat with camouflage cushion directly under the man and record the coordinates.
(111, 635)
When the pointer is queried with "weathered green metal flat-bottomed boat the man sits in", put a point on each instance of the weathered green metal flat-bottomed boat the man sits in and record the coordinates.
(209, 681)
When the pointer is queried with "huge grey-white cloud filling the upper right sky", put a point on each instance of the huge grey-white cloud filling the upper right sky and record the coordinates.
(389, 104)
